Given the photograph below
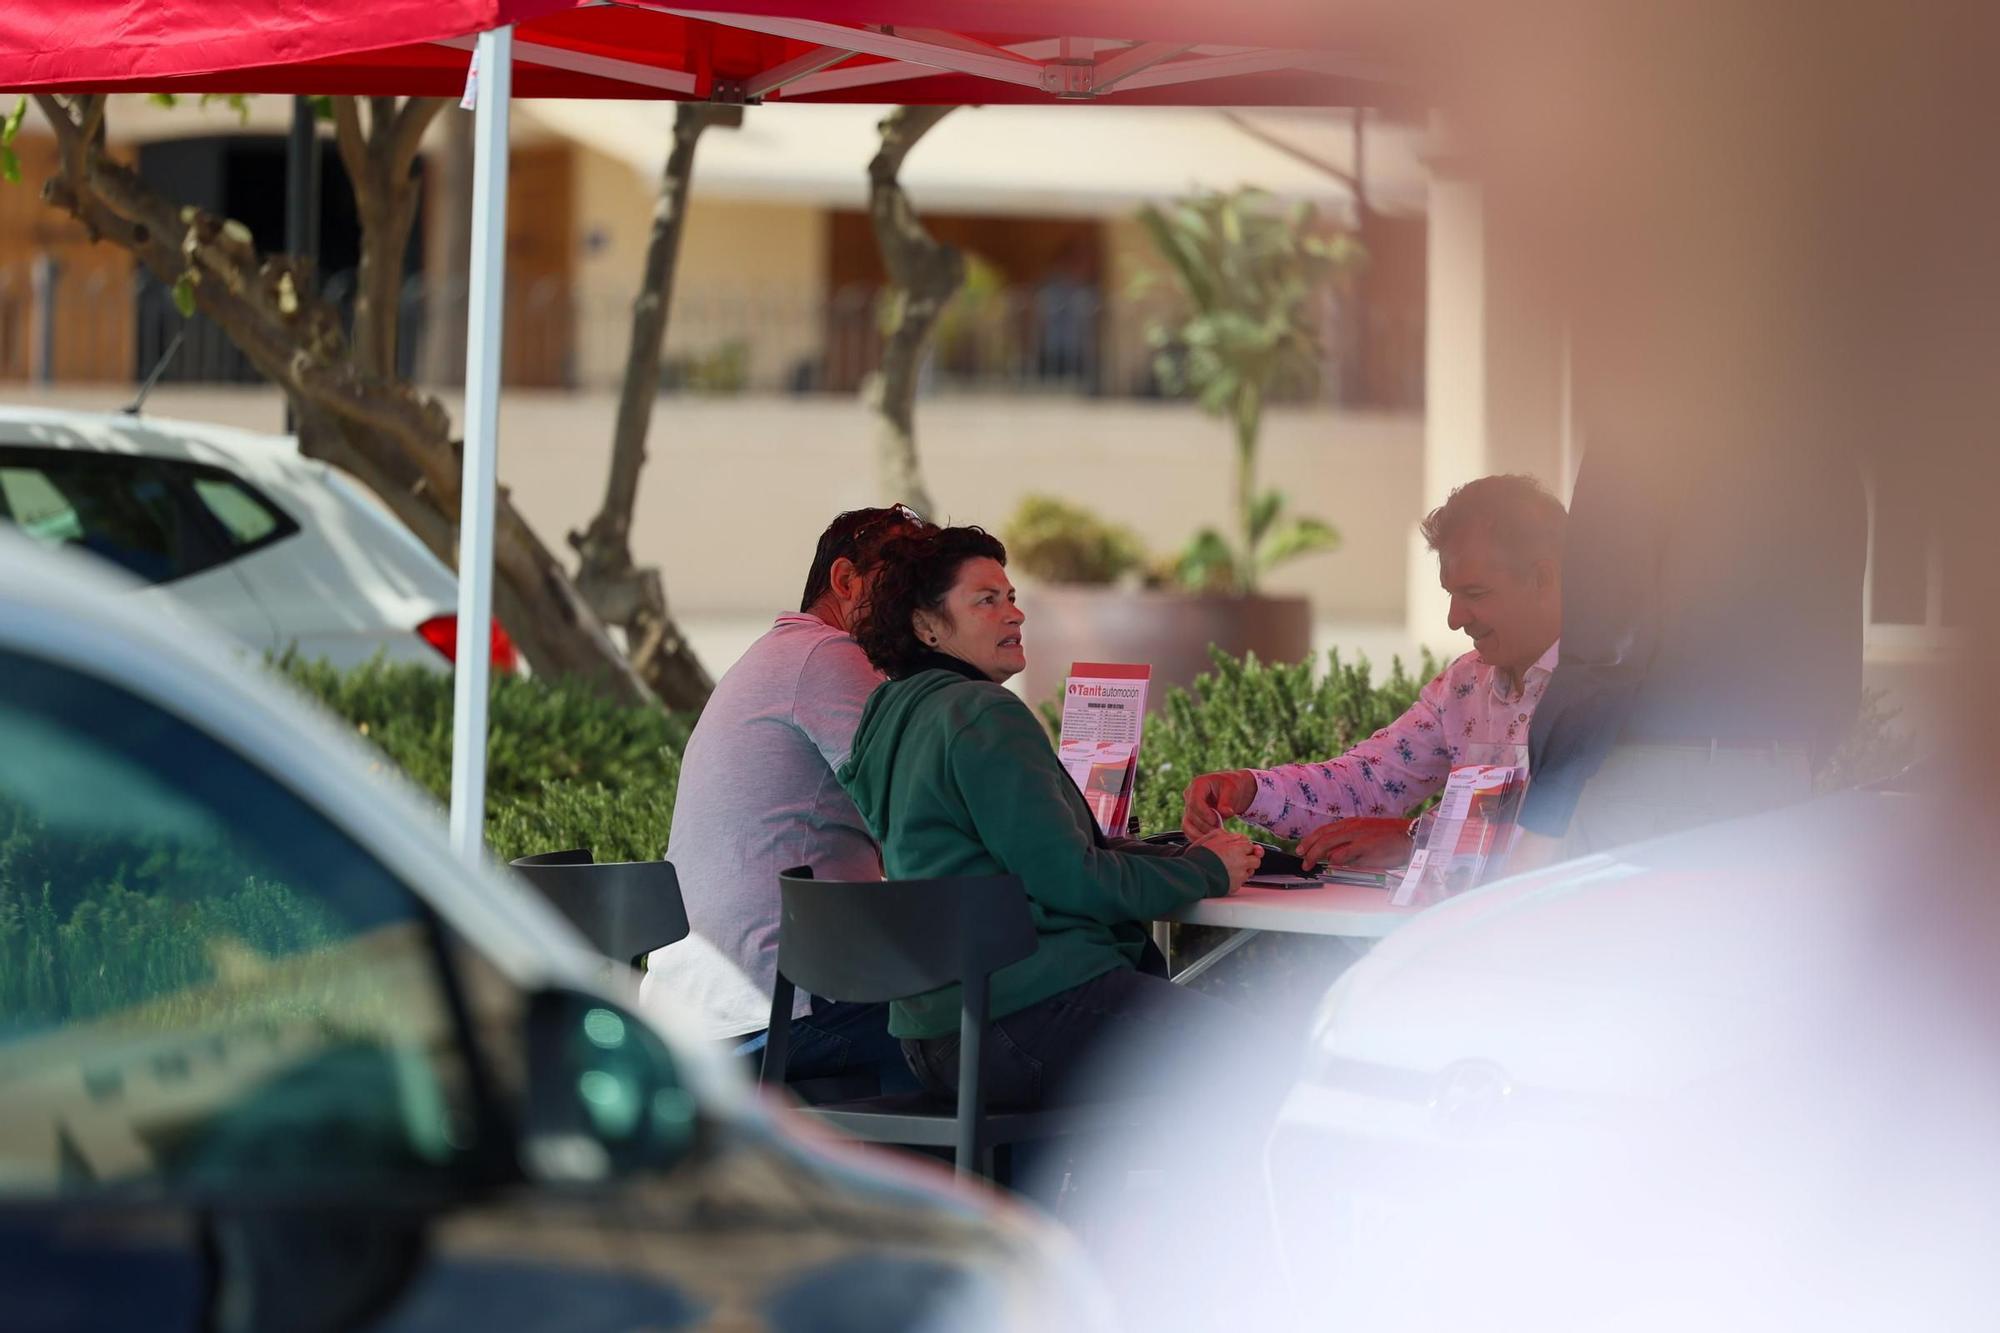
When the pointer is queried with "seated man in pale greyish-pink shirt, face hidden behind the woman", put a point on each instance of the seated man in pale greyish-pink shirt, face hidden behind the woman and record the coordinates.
(759, 796)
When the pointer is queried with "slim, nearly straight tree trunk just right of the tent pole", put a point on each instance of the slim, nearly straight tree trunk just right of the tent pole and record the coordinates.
(615, 587)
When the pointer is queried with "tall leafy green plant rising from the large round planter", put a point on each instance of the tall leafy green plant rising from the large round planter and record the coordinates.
(1247, 275)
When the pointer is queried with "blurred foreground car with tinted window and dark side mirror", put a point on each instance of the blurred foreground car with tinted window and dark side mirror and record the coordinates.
(271, 1056)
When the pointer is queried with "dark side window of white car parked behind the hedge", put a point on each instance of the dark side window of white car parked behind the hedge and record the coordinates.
(119, 509)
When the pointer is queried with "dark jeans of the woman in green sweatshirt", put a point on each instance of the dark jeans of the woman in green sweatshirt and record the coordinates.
(1117, 1036)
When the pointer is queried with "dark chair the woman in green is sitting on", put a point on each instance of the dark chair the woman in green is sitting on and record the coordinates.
(881, 942)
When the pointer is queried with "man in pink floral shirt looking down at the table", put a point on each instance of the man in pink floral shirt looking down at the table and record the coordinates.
(1499, 547)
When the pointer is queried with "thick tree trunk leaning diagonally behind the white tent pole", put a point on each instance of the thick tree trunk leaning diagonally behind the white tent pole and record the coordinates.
(377, 427)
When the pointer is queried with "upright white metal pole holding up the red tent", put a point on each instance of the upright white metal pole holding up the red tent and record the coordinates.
(495, 73)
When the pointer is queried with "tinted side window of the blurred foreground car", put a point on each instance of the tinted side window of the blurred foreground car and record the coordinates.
(203, 982)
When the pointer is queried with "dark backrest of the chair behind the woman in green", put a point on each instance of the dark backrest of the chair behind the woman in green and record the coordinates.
(875, 942)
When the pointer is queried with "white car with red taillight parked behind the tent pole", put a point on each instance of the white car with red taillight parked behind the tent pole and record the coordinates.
(277, 551)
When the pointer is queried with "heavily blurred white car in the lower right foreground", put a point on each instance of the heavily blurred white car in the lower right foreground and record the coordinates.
(1741, 1078)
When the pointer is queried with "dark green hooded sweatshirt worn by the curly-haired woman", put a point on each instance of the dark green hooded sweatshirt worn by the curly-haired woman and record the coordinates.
(957, 778)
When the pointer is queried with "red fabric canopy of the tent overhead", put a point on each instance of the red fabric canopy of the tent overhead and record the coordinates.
(795, 51)
